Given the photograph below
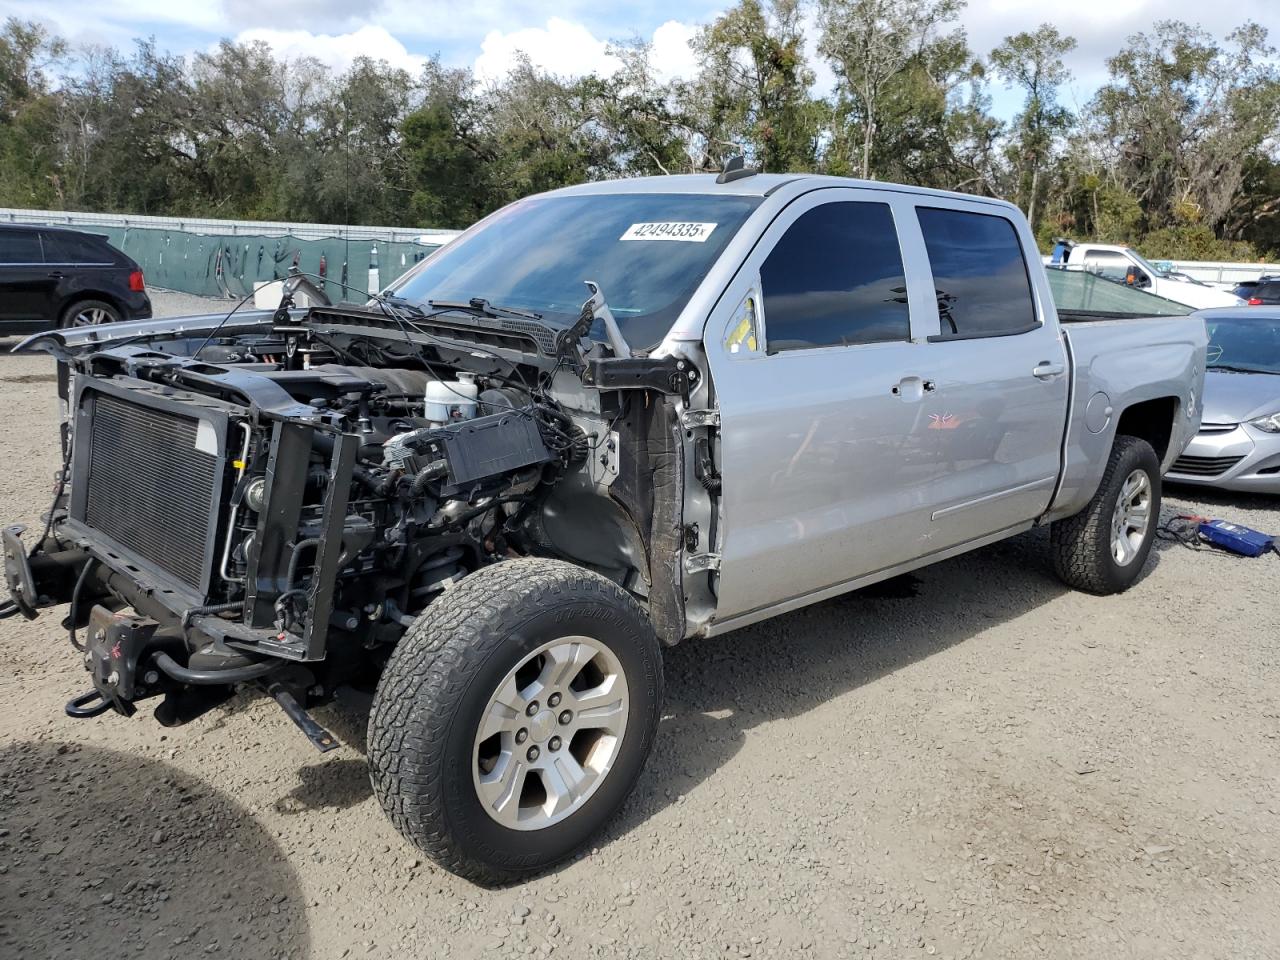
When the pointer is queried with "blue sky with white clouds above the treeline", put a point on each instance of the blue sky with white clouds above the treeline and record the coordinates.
(570, 38)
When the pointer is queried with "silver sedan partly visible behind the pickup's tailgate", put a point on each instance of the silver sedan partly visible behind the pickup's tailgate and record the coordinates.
(1238, 446)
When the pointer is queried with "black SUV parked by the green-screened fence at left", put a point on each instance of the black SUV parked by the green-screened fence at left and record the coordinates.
(53, 277)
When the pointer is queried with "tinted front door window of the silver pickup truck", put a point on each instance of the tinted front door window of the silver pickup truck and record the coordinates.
(836, 278)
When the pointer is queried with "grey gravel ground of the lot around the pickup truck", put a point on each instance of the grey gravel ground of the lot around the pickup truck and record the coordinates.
(972, 762)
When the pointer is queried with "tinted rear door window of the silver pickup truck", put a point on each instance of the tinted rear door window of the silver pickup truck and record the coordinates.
(979, 273)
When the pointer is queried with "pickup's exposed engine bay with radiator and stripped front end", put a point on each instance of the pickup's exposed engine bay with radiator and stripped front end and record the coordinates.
(276, 501)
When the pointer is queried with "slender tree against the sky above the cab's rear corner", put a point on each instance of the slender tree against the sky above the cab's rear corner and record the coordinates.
(1034, 62)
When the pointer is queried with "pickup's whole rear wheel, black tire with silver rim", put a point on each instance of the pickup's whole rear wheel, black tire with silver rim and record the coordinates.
(1104, 547)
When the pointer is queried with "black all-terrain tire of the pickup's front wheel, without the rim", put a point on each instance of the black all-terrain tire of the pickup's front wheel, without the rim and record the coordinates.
(437, 687)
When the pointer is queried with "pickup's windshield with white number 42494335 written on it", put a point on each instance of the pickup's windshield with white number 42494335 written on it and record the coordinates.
(648, 252)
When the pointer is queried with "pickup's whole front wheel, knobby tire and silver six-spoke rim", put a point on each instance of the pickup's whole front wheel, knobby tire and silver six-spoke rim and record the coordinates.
(514, 719)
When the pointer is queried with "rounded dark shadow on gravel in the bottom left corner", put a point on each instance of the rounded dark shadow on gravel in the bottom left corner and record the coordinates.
(109, 854)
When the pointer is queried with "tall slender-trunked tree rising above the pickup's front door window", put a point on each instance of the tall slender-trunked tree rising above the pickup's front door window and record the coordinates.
(871, 44)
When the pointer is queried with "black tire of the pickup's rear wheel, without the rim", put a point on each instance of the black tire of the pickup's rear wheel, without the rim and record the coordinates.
(1082, 545)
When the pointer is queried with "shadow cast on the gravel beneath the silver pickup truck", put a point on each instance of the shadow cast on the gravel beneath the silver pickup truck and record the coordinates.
(721, 688)
